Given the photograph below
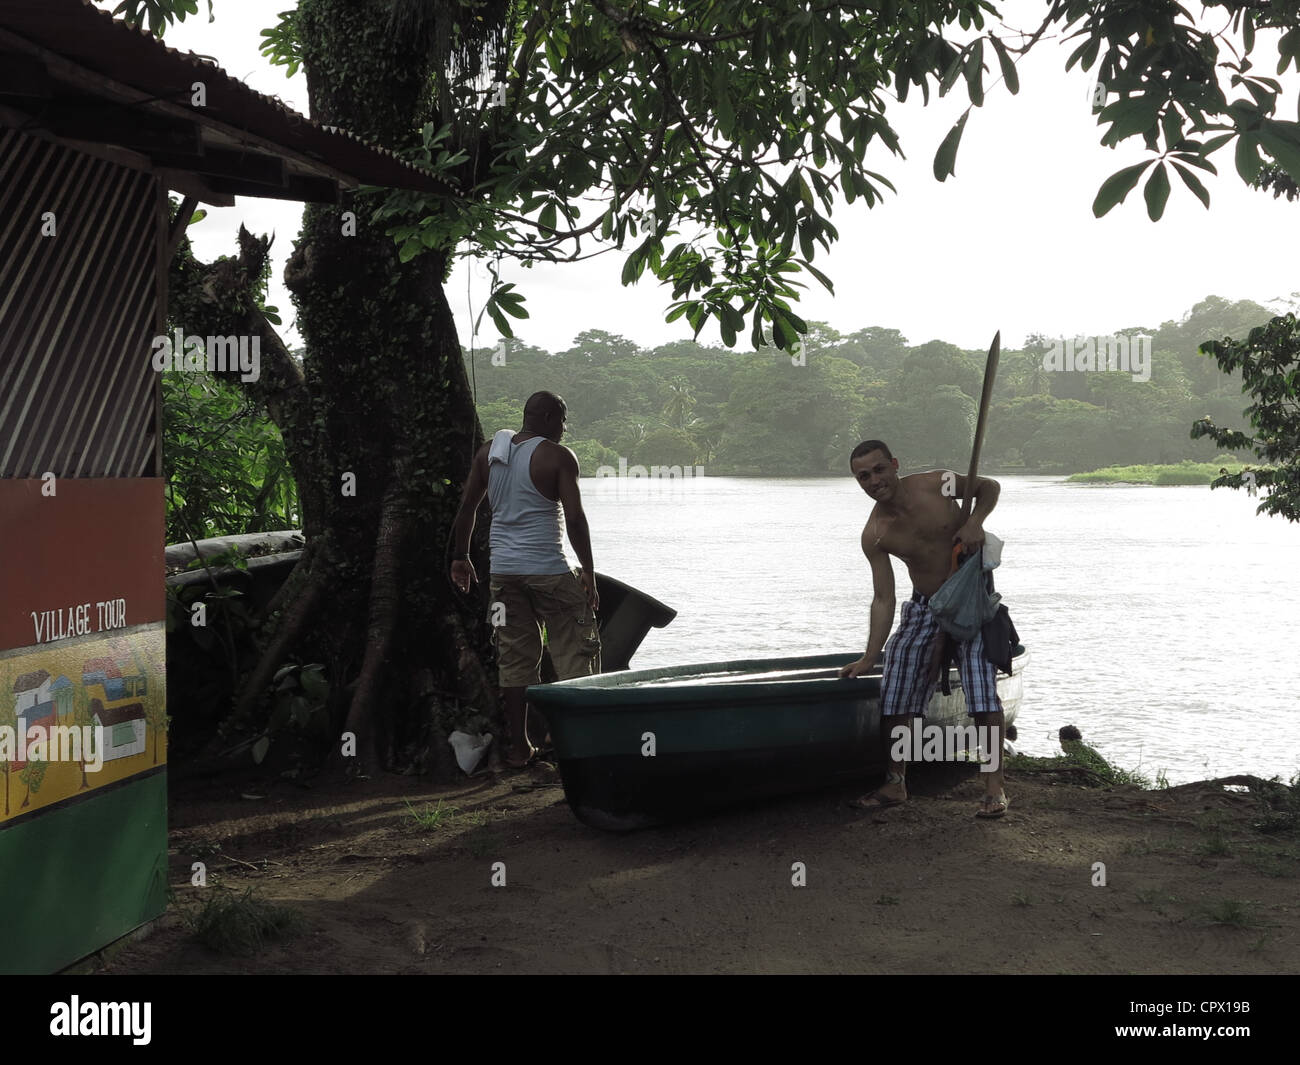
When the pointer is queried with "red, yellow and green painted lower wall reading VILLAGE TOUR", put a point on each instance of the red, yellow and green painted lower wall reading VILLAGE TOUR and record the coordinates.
(83, 715)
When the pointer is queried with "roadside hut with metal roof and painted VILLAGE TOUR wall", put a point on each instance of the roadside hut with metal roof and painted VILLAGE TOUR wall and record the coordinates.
(98, 124)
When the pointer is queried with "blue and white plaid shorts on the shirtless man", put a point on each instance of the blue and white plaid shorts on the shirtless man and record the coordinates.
(907, 687)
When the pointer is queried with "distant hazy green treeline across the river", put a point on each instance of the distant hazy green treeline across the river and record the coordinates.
(735, 412)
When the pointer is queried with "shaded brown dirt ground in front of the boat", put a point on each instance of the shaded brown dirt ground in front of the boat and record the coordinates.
(1191, 884)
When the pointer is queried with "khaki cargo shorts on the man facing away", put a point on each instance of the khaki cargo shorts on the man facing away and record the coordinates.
(522, 605)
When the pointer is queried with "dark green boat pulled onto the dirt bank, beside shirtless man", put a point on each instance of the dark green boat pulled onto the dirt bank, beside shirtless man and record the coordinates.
(647, 747)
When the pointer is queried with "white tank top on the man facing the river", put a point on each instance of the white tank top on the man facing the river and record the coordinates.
(527, 529)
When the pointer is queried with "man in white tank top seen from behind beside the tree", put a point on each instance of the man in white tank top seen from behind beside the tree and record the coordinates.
(532, 486)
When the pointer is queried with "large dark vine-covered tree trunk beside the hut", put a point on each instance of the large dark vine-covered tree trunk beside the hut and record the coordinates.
(379, 426)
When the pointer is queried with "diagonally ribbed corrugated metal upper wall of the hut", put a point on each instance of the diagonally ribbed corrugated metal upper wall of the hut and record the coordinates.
(79, 311)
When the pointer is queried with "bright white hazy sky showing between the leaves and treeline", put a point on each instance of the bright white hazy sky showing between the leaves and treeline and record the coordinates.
(1008, 244)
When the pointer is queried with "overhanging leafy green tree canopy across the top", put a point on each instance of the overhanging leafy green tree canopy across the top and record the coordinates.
(709, 142)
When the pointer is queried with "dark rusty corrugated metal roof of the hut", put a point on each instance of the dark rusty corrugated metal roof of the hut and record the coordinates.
(93, 40)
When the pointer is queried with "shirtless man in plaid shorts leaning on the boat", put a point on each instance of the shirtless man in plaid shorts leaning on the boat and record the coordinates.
(918, 519)
